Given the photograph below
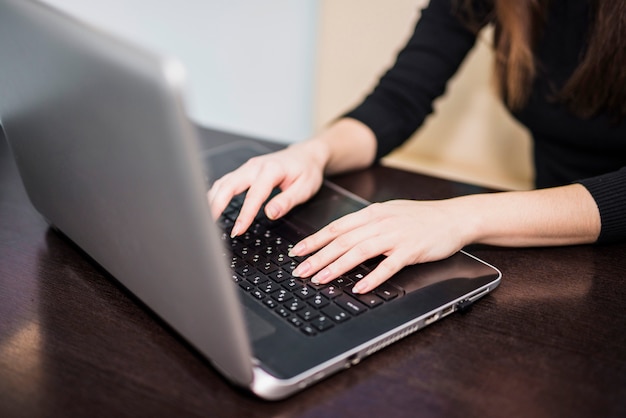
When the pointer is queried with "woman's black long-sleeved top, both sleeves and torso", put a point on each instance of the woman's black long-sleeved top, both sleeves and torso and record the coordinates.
(566, 148)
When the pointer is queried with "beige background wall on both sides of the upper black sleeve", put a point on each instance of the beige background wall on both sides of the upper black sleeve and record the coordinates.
(470, 137)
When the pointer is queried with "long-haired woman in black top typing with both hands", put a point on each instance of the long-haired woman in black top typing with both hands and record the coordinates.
(561, 70)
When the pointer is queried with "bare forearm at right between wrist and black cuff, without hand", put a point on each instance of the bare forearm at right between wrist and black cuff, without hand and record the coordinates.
(564, 215)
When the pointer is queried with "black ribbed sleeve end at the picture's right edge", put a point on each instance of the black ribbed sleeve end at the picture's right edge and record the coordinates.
(609, 192)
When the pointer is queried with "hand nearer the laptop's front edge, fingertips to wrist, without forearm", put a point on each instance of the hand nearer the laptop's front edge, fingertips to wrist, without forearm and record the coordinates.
(404, 231)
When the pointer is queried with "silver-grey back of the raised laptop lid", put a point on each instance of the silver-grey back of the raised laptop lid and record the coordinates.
(107, 156)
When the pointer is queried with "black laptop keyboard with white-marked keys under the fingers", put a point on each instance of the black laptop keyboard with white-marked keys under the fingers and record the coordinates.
(262, 269)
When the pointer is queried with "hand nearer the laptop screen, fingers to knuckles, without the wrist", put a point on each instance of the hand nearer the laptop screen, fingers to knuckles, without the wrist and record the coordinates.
(297, 171)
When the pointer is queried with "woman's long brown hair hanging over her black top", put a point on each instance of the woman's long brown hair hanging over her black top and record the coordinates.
(598, 84)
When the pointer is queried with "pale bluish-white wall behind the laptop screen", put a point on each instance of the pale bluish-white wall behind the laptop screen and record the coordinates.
(249, 63)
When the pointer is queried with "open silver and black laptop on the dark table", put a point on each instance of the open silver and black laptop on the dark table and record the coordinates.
(110, 159)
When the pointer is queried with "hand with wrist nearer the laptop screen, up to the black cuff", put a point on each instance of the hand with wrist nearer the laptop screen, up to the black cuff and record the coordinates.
(297, 171)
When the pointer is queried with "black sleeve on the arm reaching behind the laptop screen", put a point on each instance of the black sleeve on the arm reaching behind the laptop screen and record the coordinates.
(404, 95)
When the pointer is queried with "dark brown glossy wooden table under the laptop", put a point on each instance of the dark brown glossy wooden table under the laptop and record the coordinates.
(549, 342)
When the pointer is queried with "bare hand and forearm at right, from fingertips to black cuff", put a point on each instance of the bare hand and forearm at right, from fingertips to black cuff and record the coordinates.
(409, 232)
